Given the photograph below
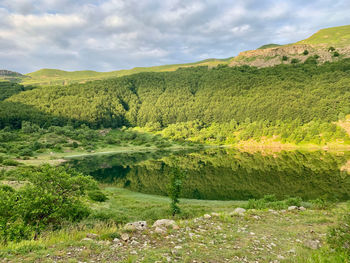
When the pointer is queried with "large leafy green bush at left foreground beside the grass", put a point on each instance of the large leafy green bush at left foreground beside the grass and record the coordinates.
(51, 198)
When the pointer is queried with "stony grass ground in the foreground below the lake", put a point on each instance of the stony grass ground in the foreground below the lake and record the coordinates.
(257, 236)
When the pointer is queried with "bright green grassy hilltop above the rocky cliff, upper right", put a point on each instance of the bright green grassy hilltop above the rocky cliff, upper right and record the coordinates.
(337, 36)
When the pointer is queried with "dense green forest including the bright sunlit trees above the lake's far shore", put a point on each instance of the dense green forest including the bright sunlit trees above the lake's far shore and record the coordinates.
(296, 102)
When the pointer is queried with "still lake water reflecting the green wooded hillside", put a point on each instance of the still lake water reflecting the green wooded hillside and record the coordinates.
(226, 174)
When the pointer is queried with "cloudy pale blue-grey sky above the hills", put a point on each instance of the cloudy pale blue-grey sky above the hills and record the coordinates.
(106, 35)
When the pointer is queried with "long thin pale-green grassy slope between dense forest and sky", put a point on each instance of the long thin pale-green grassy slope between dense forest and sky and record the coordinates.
(59, 77)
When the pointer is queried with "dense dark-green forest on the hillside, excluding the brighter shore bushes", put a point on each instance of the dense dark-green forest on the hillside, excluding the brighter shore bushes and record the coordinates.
(282, 93)
